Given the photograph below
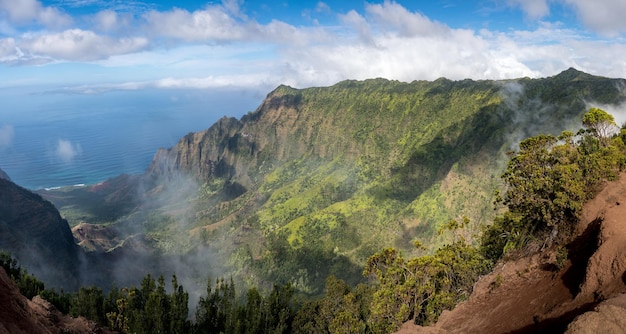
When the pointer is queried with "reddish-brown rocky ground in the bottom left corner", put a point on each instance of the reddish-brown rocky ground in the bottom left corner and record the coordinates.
(19, 315)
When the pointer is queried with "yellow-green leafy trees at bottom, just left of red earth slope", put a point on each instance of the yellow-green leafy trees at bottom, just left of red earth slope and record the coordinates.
(421, 288)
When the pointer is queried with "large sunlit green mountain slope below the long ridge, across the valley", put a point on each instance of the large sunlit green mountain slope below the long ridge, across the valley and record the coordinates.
(318, 179)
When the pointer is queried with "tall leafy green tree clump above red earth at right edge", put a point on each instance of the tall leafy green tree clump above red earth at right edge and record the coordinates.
(549, 179)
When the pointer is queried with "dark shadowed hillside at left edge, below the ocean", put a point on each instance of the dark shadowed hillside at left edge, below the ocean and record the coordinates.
(32, 230)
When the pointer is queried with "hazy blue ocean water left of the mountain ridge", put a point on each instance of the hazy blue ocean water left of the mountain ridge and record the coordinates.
(51, 140)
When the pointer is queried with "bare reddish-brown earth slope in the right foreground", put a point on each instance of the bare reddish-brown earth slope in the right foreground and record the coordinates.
(531, 295)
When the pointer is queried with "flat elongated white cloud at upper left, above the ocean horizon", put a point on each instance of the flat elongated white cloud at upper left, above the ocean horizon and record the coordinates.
(80, 45)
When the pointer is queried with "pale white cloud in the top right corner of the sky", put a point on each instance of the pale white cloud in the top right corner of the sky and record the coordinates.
(603, 16)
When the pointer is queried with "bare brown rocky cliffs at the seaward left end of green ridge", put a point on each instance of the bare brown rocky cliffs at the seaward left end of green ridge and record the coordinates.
(239, 149)
